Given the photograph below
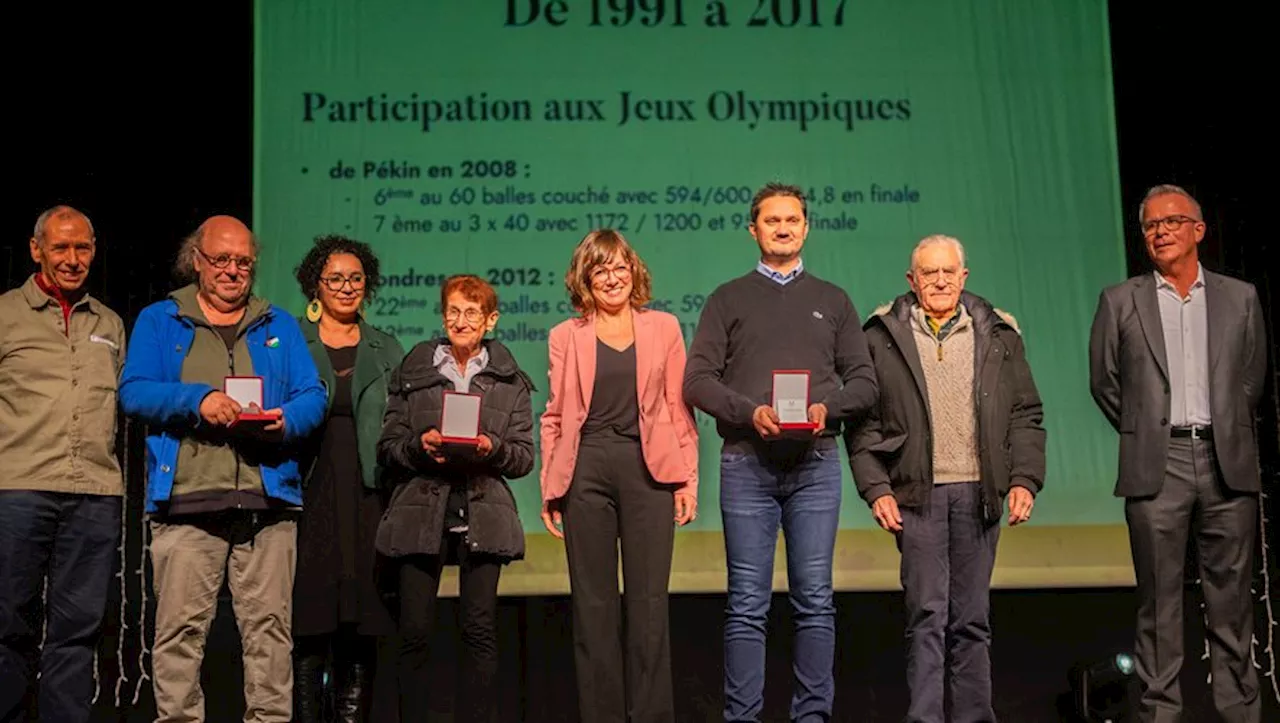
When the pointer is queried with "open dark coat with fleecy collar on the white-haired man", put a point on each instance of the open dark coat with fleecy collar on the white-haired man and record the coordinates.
(892, 452)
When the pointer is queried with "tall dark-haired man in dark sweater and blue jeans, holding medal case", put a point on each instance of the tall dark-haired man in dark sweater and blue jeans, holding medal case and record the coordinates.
(780, 318)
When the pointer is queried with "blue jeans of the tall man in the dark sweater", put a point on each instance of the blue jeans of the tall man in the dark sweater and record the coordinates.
(802, 495)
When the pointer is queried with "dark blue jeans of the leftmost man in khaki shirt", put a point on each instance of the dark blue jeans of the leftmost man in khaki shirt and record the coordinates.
(72, 539)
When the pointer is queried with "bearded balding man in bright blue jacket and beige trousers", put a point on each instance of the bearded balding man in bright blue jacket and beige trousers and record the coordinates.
(223, 493)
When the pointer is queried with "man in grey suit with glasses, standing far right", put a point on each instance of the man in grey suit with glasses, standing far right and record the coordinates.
(1177, 364)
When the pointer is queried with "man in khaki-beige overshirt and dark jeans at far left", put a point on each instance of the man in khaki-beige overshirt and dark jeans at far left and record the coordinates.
(61, 484)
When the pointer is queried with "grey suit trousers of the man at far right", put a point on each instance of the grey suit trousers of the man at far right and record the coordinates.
(1195, 501)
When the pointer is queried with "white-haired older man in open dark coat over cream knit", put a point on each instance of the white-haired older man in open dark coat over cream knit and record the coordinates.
(958, 429)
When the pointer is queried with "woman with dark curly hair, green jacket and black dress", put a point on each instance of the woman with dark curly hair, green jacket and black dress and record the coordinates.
(339, 610)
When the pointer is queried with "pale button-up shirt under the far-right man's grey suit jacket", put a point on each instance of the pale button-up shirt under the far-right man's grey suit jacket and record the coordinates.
(1186, 326)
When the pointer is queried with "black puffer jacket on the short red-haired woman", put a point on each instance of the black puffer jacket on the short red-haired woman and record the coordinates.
(414, 523)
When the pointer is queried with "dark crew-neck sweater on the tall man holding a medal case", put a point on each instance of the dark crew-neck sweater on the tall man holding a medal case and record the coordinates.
(753, 327)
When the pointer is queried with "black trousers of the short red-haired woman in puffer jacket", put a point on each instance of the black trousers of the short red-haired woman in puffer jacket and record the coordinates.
(419, 591)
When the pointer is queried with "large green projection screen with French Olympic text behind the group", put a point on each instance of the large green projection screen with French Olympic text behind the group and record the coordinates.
(490, 136)
